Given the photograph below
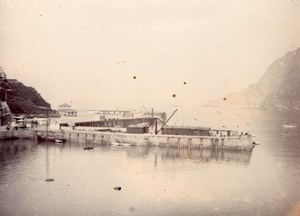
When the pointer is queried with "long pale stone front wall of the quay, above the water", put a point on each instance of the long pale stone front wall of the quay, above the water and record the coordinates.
(241, 142)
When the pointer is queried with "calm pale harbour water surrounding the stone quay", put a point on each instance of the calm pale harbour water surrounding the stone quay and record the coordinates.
(156, 181)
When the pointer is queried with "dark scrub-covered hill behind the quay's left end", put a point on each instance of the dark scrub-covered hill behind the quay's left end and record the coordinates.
(26, 100)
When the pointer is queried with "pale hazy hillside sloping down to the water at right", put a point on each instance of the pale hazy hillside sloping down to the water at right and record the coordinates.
(277, 89)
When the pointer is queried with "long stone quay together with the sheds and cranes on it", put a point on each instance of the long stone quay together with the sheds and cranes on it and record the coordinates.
(149, 129)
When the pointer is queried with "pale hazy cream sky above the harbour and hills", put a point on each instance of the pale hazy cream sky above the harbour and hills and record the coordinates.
(89, 51)
